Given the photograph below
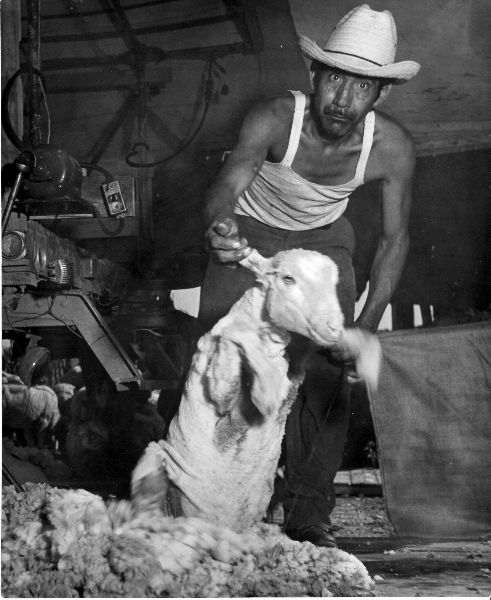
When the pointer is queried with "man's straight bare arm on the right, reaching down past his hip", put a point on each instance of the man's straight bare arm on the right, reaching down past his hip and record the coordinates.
(394, 242)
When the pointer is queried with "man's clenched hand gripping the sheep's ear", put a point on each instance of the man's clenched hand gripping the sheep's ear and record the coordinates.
(224, 243)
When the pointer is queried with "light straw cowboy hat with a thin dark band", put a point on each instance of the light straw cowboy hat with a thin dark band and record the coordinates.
(364, 42)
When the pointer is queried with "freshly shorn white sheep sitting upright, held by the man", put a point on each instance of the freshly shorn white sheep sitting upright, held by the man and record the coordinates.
(222, 449)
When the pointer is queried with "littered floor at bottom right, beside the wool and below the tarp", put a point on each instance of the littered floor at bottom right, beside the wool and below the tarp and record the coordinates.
(410, 567)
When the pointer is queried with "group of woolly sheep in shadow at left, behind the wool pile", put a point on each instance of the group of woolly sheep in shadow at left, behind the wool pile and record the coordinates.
(64, 432)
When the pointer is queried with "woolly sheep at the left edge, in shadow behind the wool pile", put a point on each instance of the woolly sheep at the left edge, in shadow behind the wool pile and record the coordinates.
(33, 409)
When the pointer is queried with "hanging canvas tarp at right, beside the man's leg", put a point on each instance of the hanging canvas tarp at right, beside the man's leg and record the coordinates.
(432, 417)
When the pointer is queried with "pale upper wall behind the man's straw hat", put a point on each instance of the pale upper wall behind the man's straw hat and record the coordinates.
(446, 106)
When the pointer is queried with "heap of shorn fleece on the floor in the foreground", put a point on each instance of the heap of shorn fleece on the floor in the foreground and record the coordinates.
(70, 543)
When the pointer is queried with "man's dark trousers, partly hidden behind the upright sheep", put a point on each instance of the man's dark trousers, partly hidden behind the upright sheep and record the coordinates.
(316, 427)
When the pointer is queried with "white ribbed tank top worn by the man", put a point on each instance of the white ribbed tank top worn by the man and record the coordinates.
(281, 198)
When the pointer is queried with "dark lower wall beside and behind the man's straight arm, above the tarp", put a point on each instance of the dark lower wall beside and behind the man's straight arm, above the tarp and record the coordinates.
(448, 265)
